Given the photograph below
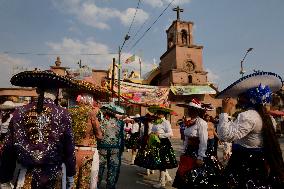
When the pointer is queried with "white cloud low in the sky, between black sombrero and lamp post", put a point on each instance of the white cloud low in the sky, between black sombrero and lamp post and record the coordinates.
(73, 49)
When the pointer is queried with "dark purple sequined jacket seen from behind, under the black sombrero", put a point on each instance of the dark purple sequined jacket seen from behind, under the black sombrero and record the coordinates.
(38, 140)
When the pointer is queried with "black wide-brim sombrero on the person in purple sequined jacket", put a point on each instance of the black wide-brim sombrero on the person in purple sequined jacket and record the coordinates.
(42, 79)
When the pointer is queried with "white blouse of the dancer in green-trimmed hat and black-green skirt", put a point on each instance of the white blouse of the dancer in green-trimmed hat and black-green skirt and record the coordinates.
(164, 129)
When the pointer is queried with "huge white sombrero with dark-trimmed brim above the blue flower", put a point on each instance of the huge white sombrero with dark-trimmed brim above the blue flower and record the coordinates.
(272, 80)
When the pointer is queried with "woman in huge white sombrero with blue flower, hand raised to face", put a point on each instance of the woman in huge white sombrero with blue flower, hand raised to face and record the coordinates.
(256, 160)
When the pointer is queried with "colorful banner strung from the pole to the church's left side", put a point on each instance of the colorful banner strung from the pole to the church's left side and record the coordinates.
(142, 94)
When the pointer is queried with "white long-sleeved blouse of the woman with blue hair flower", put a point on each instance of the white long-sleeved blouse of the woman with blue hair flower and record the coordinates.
(245, 130)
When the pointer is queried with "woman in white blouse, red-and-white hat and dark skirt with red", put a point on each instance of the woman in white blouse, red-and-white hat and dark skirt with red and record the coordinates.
(197, 168)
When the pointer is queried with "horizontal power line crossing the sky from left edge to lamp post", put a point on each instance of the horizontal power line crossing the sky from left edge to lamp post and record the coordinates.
(56, 54)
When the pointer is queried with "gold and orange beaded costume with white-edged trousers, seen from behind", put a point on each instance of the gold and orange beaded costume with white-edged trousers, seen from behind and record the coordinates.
(87, 158)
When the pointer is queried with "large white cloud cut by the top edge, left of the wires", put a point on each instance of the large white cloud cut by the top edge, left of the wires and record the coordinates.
(89, 13)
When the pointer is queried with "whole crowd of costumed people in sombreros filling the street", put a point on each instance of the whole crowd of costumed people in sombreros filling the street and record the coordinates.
(46, 146)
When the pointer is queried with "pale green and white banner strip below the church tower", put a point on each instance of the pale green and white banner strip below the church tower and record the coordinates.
(192, 89)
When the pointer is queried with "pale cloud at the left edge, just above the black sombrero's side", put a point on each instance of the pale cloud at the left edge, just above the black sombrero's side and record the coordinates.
(9, 66)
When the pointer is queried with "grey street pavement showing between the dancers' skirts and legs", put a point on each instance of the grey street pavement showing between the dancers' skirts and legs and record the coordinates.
(134, 177)
